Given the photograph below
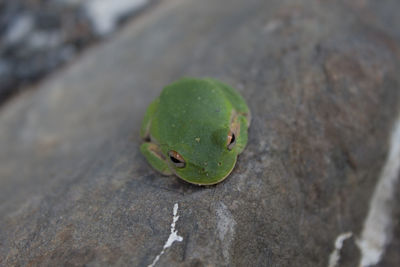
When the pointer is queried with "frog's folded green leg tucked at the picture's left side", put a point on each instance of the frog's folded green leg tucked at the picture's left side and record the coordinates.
(155, 157)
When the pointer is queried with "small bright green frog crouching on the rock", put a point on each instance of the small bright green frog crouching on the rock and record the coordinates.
(195, 130)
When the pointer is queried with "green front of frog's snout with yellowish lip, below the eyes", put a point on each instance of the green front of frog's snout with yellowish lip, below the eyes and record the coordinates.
(207, 175)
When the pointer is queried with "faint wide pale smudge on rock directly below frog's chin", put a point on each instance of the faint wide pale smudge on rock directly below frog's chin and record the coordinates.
(226, 229)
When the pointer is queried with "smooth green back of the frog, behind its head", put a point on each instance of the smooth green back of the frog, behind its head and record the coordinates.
(189, 108)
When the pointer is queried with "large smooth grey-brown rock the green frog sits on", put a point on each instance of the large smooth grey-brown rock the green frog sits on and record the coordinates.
(321, 79)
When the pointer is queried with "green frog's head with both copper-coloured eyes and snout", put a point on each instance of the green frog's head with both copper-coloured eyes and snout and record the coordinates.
(205, 158)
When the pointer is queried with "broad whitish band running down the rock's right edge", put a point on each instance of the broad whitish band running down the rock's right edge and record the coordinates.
(377, 230)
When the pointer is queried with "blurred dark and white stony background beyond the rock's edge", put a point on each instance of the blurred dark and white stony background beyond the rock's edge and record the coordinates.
(39, 36)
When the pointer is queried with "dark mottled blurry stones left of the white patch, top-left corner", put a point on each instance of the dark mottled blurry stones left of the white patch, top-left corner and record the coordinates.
(32, 36)
